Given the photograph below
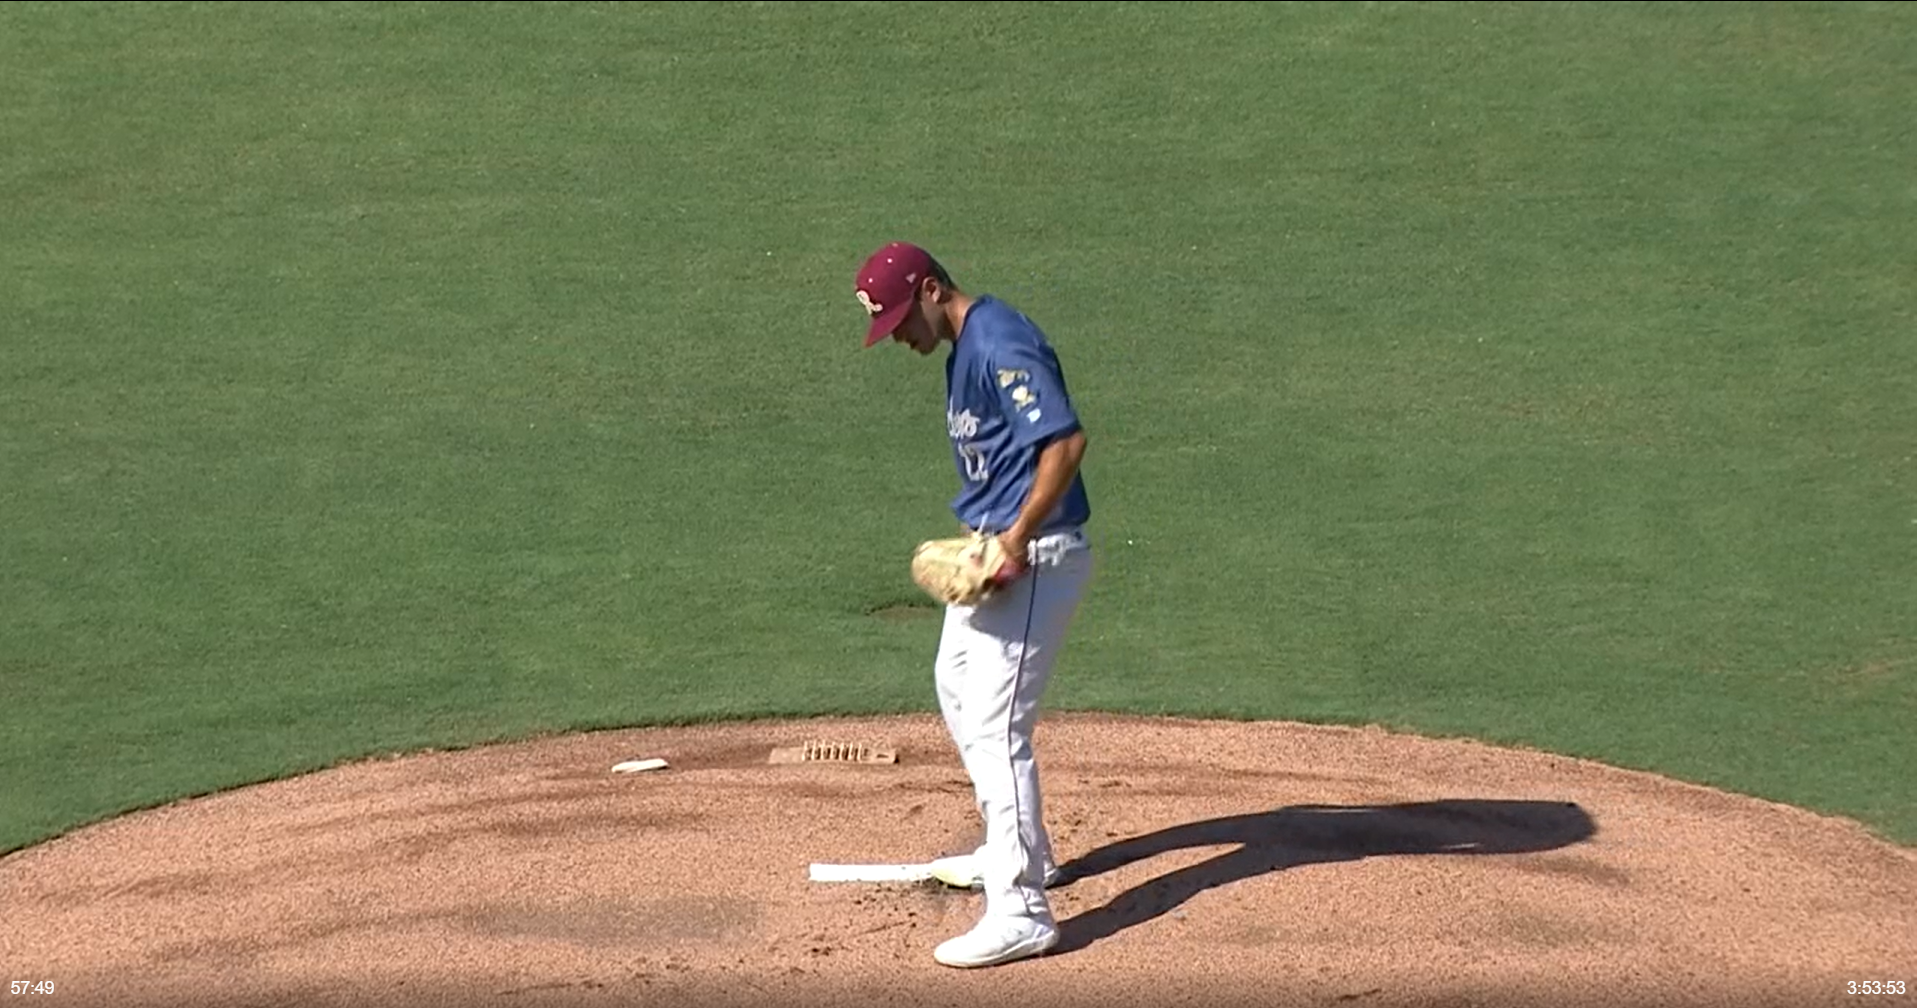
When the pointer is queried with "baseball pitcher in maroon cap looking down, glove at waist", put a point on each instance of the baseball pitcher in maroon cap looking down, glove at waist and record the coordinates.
(1011, 584)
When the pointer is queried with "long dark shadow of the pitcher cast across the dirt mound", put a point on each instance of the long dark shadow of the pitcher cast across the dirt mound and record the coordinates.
(1312, 835)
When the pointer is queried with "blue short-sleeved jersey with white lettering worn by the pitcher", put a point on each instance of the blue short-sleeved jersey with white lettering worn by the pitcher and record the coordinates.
(1005, 400)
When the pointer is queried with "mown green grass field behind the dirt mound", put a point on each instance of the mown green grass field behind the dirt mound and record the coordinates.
(384, 377)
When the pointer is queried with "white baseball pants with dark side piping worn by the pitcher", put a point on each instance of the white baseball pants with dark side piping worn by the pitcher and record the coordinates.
(992, 672)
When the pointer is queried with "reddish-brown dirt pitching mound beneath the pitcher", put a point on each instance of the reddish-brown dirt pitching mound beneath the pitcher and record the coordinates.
(1209, 863)
